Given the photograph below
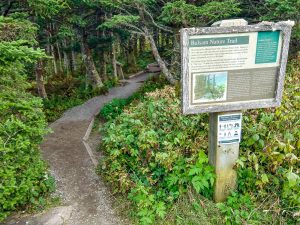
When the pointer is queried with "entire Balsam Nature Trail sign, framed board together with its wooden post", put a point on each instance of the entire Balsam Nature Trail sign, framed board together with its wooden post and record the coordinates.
(226, 68)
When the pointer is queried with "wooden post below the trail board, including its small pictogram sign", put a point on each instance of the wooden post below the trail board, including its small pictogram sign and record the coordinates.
(224, 138)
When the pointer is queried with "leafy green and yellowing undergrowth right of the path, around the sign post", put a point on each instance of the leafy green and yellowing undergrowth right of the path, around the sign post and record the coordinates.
(158, 158)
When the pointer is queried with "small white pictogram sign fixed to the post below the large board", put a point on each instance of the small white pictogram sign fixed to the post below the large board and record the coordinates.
(229, 128)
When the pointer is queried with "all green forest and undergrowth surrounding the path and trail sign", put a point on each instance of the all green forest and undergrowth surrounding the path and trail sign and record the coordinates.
(58, 54)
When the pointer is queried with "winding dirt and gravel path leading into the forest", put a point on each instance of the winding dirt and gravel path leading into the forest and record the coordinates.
(86, 199)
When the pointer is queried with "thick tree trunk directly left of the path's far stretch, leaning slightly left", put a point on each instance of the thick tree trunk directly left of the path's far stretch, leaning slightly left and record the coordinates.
(91, 70)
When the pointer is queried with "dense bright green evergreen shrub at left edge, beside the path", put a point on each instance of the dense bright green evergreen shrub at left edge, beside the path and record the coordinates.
(23, 175)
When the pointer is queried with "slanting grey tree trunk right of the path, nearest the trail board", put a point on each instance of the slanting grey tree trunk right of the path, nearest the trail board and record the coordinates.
(158, 59)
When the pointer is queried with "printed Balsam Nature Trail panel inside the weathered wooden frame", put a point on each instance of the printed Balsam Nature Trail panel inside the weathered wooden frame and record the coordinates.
(233, 67)
